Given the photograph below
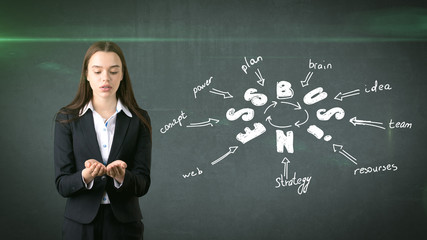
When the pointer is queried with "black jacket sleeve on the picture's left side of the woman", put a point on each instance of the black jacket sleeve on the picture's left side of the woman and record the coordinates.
(67, 178)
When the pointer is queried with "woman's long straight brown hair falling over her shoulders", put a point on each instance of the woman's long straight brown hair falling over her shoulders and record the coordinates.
(84, 92)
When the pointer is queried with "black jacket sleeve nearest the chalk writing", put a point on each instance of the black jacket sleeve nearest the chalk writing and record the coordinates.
(137, 179)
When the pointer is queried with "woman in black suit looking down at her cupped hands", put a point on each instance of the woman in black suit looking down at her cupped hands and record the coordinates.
(102, 151)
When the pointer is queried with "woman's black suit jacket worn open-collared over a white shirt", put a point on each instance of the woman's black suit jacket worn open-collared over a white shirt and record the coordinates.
(76, 142)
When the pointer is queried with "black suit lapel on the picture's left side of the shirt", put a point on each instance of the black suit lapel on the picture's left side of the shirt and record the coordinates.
(89, 134)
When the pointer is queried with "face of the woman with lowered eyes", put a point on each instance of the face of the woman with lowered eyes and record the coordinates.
(104, 73)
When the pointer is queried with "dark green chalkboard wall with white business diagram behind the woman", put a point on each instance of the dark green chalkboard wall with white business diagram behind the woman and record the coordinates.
(293, 119)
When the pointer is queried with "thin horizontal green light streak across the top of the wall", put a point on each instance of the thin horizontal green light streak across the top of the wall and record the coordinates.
(142, 40)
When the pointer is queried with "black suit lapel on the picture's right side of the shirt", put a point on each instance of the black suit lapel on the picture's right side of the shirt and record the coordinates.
(122, 125)
